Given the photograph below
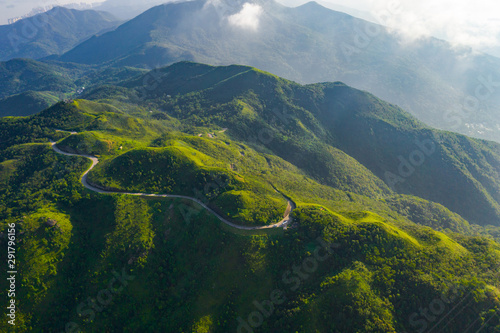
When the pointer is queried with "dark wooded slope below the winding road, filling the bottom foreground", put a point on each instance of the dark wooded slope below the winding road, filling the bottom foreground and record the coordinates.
(201, 275)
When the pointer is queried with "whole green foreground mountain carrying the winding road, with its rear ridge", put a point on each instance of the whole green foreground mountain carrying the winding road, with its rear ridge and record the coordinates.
(360, 254)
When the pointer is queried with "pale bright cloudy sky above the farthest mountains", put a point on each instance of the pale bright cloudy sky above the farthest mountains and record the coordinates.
(461, 22)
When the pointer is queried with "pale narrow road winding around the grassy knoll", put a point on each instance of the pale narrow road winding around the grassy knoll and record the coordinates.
(84, 180)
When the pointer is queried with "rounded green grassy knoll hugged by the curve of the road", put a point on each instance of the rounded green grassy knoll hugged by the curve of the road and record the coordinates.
(183, 170)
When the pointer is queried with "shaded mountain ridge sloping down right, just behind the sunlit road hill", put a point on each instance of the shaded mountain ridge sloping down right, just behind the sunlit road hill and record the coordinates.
(327, 129)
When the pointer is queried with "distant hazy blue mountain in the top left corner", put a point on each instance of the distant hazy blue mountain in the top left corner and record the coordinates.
(53, 32)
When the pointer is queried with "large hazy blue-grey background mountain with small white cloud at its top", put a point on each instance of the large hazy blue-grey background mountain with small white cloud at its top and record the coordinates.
(442, 85)
